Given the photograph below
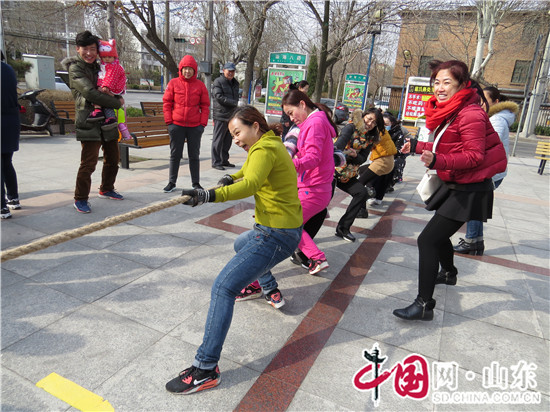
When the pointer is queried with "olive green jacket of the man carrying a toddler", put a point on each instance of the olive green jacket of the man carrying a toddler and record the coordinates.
(83, 84)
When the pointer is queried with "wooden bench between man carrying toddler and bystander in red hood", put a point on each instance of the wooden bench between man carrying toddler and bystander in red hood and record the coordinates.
(146, 132)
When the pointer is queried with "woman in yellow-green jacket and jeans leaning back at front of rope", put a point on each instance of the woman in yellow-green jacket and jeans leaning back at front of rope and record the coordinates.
(269, 174)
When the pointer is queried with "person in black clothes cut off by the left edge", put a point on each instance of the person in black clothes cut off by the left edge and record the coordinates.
(10, 139)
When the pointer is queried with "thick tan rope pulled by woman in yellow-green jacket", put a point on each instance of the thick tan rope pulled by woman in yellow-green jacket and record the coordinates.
(92, 227)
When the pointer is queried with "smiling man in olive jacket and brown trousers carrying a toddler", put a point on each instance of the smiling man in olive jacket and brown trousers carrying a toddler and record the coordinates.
(83, 71)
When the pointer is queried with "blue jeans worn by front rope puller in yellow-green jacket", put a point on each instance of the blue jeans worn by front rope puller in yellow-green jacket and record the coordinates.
(258, 251)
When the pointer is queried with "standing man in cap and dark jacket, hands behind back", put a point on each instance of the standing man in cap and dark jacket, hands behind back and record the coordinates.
(225, 90)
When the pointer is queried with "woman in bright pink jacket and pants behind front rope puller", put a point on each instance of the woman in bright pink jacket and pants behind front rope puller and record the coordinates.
(314, 162)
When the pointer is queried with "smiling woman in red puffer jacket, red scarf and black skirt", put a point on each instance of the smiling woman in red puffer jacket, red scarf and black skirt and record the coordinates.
(468, 154)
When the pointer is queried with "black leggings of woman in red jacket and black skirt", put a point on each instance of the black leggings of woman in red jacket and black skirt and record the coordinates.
(435, 248)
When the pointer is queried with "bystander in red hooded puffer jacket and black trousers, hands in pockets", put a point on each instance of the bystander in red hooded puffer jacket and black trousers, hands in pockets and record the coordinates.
(186, 106)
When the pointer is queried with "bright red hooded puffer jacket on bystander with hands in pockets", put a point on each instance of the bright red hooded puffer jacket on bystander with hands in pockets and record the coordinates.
(186, 102)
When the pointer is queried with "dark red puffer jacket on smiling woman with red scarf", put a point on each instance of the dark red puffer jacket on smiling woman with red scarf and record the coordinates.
(470, 150)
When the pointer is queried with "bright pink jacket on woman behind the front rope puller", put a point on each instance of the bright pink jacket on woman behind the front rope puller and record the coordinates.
(314, 160)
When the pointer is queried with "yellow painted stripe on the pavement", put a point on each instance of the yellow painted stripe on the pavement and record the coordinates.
(73, 394)
